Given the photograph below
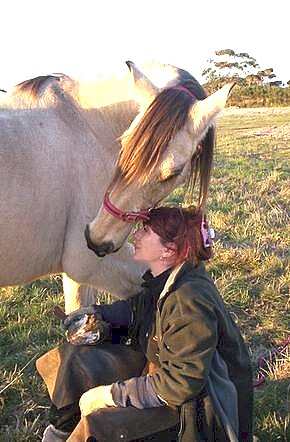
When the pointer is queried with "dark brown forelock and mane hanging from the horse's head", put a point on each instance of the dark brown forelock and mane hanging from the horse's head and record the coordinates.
(167, 114)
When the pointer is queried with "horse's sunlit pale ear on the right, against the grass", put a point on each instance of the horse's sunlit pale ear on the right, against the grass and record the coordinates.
(204, 112)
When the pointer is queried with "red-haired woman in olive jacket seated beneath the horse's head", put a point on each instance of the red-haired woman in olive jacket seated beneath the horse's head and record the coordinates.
(202, 371)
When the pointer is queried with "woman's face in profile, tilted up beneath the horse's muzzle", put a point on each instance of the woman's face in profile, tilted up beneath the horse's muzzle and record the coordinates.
(147, 246)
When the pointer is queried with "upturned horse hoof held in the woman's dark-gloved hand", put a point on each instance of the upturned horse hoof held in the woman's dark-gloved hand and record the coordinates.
(86, 326)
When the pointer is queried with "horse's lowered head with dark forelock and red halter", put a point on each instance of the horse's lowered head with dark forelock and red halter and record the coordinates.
(168, 144)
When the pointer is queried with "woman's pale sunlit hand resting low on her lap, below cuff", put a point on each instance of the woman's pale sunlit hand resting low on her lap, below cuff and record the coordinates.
(95, 398)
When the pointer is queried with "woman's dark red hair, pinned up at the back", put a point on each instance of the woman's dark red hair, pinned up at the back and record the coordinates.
(183, 228)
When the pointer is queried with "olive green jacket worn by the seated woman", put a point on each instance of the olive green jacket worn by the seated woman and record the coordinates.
(191, 325)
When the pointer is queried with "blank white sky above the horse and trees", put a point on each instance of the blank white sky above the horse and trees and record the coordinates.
(83, 37)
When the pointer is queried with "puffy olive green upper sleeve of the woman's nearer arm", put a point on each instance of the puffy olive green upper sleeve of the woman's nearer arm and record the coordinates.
(187, 345)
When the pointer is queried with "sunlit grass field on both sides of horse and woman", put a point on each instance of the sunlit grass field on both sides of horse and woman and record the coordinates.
(249, 209)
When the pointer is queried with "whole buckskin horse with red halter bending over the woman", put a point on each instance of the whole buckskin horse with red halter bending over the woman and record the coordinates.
(64, 142)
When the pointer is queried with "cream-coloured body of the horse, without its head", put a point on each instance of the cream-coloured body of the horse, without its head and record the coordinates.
(55, 166)
